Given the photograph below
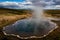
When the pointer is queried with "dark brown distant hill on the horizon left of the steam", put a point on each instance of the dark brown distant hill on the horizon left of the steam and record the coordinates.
(14, 11)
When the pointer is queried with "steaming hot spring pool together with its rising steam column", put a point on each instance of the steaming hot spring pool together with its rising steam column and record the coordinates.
(35, 27)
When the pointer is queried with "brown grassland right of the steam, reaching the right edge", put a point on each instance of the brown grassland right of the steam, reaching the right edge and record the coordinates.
(52, 13)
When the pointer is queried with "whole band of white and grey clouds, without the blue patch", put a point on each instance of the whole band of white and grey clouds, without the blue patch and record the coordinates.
(29, 4)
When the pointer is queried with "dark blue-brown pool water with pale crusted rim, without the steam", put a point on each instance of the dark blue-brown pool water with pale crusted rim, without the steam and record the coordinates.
(26, 28)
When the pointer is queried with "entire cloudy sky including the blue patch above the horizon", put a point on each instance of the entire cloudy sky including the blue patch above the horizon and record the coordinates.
(26, 4)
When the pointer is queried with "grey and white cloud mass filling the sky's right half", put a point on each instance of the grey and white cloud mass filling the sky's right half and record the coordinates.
(47, 4)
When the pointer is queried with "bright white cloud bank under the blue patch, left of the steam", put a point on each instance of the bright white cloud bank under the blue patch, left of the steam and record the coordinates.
(15, 5)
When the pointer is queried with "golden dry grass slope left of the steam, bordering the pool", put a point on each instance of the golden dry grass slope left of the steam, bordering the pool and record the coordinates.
(5, 20)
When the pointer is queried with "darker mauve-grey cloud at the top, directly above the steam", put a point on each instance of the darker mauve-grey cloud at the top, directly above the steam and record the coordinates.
(39, 2)
